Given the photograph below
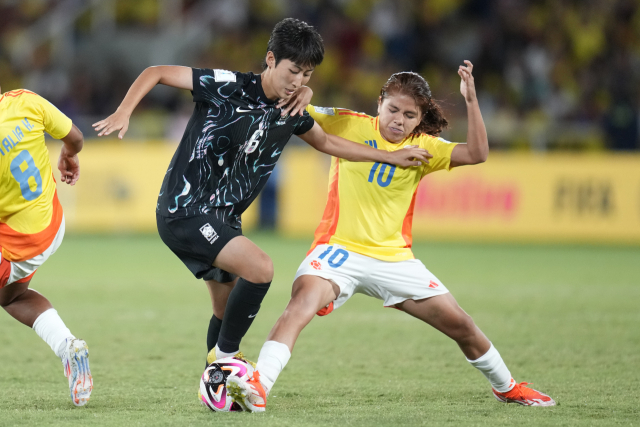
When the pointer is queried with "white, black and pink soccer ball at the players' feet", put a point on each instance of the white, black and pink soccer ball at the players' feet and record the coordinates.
(213, 383)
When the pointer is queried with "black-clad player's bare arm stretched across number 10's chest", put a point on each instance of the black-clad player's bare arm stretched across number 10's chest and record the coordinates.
(348, 150)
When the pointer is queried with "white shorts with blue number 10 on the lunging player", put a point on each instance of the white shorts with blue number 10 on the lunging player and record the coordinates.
(392, 282)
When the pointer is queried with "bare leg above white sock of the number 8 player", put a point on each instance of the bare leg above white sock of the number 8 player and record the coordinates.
(22, 303)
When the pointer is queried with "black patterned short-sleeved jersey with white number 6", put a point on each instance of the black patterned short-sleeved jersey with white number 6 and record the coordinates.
(229, 148)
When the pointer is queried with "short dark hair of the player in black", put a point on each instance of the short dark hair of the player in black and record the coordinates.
(296, 41)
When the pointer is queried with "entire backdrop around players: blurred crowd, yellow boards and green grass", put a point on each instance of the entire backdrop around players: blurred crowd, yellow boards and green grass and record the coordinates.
(540, 244)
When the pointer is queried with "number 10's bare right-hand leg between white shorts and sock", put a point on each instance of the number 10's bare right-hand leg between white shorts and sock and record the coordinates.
(443, 313)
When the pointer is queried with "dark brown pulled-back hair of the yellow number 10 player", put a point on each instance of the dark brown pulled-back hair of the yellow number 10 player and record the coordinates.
(414, 85)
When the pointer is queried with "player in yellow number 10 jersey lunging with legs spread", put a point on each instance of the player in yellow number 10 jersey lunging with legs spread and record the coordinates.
(363, 243)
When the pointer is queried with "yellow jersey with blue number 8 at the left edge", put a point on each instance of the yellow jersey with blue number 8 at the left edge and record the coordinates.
(30, 213)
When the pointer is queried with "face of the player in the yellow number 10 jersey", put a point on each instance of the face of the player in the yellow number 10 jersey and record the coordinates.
(398, 115)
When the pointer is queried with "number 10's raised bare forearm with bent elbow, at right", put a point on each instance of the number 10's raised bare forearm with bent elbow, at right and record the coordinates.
(476, 150)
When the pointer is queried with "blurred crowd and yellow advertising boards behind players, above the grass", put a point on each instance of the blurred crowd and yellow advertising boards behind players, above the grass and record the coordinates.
(558, 85)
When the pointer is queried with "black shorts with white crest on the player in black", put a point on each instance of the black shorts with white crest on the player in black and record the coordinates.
(197, 241)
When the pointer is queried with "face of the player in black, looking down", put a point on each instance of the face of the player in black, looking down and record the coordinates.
(286, 77)
